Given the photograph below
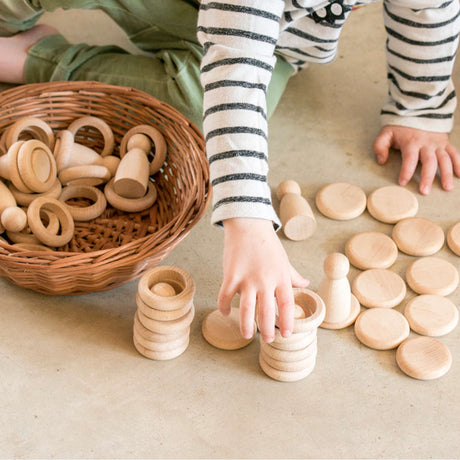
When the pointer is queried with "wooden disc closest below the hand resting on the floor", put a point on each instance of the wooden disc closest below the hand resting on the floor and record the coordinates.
(391, 204)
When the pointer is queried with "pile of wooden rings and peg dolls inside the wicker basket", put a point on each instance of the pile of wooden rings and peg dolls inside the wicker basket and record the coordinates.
(42, 171)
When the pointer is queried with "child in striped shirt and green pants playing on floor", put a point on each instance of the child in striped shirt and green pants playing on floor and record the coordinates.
(247, 51)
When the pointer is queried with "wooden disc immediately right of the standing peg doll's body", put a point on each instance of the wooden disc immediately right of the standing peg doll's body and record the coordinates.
(379, 288)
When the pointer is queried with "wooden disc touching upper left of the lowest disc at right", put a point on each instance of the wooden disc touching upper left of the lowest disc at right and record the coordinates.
(381, 328)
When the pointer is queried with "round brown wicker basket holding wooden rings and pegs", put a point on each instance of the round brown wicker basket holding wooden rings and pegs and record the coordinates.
(116, 247)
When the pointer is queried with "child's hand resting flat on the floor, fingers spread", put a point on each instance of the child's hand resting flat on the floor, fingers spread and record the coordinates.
(433, 150)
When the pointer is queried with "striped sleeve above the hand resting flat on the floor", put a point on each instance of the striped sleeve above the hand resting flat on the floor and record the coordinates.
(421, 47)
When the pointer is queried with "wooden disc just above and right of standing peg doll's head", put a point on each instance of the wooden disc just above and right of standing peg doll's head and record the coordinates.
(368, 250)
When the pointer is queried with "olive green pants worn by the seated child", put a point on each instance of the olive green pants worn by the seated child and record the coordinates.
(164, 28)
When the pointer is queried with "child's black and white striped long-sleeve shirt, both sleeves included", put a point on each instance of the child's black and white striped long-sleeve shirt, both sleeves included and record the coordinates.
(240, 39)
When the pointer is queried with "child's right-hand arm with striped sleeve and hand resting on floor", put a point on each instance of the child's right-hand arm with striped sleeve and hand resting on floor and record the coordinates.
(421, 48)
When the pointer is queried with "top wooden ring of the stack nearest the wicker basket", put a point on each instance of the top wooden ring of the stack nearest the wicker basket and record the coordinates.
(181, 281)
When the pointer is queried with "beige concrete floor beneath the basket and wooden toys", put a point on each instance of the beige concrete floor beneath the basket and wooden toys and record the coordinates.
(73, 386)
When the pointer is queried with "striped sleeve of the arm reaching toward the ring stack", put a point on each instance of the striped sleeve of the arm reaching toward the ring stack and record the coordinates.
(238, 38)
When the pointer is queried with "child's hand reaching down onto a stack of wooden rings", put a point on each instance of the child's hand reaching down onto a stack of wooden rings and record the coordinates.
(257, 268)
